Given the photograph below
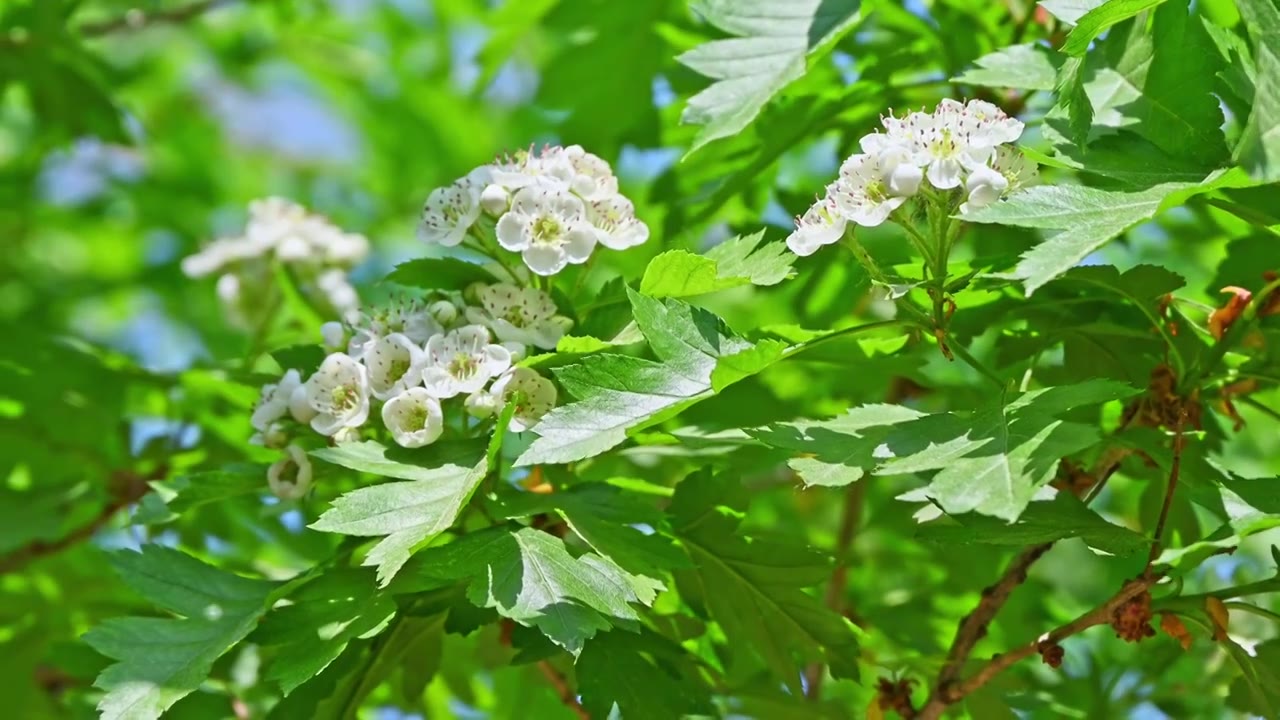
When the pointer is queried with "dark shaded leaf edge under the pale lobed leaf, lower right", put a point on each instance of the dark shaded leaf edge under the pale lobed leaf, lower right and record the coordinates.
(1064, 517)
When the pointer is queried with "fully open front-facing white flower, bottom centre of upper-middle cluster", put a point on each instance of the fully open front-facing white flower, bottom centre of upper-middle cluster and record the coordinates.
(548, 227)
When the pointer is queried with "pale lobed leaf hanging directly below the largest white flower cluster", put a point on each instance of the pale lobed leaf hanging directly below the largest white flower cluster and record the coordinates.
(442, 480)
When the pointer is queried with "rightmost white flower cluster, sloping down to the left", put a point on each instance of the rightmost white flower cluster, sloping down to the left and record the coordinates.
(961, 149)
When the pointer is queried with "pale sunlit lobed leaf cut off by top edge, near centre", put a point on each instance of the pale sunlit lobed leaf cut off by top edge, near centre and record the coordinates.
(775, 42)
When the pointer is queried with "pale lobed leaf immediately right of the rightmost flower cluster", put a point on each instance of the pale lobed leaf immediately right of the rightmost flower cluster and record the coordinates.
(1089, 218)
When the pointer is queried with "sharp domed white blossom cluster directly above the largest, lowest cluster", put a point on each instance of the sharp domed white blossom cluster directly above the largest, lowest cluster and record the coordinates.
(552, 207)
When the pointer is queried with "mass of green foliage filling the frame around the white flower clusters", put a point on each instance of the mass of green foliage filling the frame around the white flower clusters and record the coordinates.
(134, 133)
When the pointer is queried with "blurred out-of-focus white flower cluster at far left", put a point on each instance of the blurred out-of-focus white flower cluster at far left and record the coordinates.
(318, 253)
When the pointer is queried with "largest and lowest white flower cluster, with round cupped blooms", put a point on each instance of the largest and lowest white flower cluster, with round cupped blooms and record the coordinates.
(412, 359)
